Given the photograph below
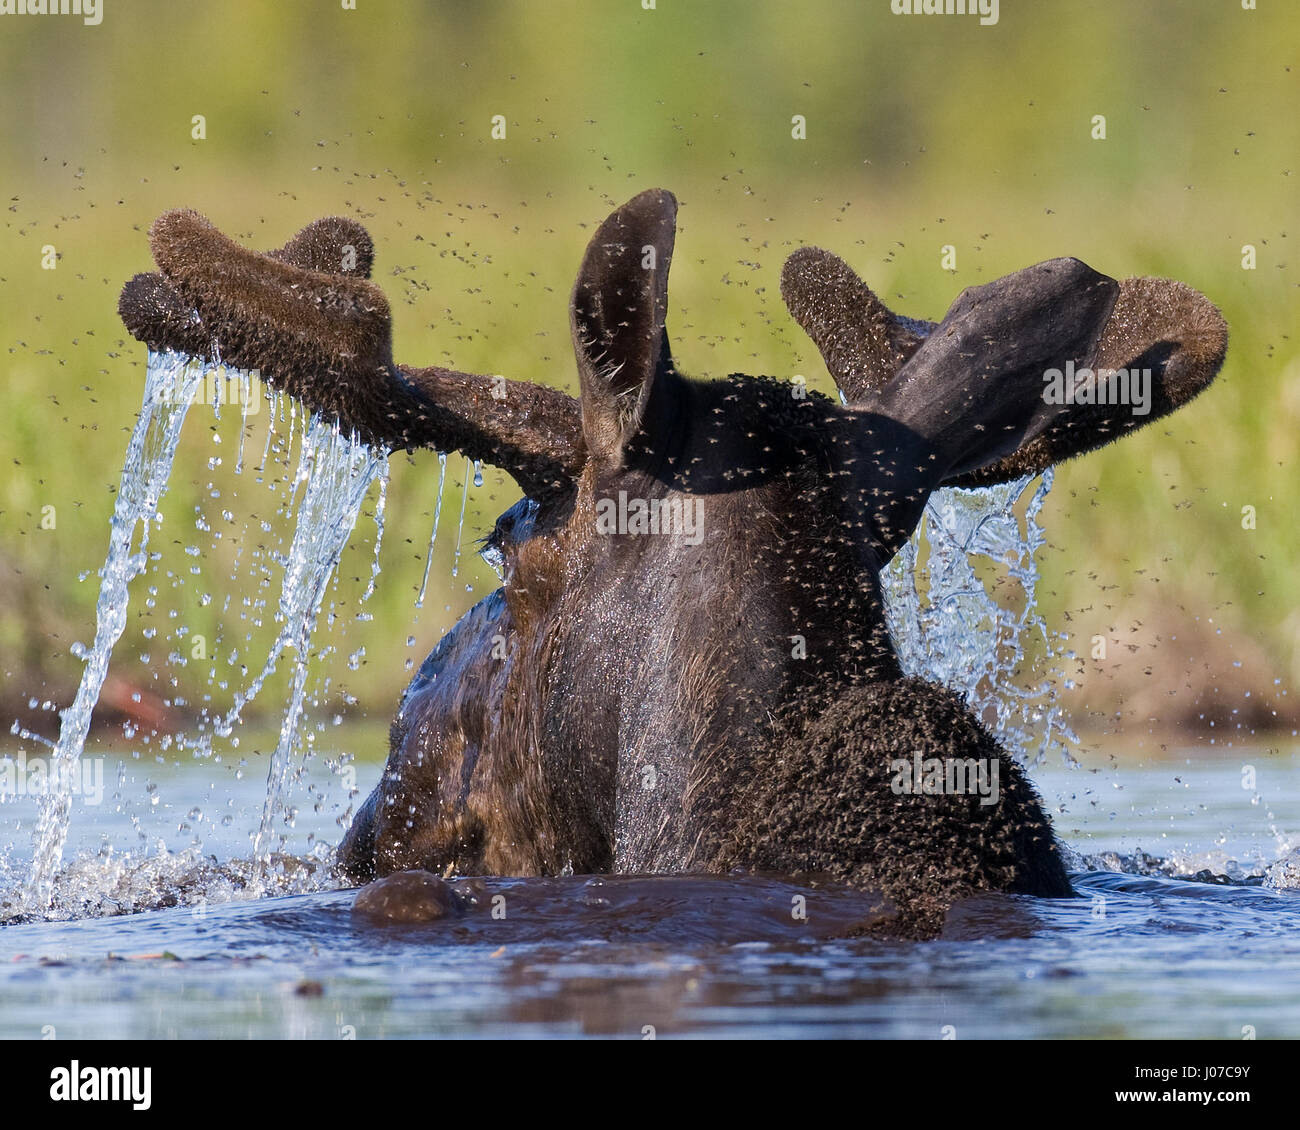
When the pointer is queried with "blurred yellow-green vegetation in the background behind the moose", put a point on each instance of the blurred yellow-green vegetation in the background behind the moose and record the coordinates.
(922, 132)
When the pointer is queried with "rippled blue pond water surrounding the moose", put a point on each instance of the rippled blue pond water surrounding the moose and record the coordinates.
(1137, 955)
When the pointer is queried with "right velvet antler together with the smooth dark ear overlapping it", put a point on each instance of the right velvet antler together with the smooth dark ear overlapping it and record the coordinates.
(989, 363)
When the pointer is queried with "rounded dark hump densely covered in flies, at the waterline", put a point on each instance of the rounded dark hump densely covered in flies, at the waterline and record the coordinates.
(820, 799)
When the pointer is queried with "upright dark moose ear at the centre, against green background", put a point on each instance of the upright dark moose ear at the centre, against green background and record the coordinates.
(619, 308)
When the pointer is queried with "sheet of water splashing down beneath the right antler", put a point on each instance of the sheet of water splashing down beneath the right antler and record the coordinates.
(947, 625)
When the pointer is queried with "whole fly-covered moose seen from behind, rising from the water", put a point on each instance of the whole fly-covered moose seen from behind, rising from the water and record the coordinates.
(653, 699)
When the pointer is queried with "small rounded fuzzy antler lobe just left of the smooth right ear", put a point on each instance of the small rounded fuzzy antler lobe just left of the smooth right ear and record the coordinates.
(861, 340)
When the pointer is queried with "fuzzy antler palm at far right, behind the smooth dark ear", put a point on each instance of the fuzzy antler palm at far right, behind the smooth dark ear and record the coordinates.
(1163, 345)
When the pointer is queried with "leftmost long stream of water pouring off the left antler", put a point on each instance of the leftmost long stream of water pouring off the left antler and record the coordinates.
(170, 387)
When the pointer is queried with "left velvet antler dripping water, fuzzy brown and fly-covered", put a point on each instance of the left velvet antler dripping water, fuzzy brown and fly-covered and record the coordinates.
(307, 319)
